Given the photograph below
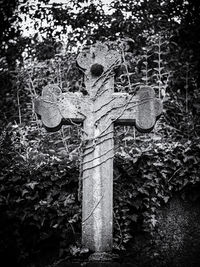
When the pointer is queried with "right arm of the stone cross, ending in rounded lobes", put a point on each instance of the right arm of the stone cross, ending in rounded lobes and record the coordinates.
(141, 110)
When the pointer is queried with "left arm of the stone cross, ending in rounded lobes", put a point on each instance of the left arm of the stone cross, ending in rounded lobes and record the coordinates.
(54, 106)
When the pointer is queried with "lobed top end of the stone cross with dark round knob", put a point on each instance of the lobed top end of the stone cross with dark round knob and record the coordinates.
(98, 59)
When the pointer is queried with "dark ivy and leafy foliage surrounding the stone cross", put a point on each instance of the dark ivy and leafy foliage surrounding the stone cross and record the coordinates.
(156, 175)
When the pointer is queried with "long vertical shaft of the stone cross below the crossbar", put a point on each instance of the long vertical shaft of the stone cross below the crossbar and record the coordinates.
(97, 181)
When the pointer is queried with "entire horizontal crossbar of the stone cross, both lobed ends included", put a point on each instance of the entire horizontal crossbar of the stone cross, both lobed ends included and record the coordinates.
(141, 110)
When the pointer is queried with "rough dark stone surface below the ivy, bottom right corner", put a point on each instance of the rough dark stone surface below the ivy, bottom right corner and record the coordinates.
(175, 241)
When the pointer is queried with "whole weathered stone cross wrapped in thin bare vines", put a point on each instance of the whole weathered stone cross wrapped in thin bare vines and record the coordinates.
(99, 110)
